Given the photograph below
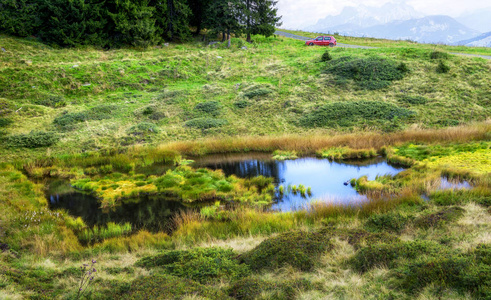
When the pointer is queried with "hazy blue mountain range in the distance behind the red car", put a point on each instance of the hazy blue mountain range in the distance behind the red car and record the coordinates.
(402, 21)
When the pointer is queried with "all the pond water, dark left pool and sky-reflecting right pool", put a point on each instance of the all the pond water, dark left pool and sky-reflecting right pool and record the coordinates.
(325, 178)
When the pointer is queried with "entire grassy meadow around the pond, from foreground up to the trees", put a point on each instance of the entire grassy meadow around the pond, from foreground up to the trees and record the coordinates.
(103, 119)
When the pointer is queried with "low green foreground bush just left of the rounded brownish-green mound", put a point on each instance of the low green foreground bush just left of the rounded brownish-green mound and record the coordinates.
(199, 264)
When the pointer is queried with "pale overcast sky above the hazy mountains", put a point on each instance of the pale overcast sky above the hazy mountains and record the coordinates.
(299, 13)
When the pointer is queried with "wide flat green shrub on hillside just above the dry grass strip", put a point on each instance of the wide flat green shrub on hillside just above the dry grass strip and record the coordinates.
(351, 113)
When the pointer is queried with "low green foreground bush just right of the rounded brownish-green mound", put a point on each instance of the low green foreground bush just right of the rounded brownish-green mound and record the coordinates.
(390, 255)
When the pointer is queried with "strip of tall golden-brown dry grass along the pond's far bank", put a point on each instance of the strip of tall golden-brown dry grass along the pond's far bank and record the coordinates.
(309, 144)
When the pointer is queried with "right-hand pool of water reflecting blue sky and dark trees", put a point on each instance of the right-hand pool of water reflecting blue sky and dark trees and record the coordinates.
(326, 178)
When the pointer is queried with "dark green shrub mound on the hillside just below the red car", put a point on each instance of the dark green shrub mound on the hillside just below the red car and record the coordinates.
(367, 73)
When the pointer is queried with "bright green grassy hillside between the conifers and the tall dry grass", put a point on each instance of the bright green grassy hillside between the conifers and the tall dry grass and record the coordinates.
(90, 99)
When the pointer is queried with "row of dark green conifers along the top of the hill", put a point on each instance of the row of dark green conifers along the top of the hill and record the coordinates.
(141, 23)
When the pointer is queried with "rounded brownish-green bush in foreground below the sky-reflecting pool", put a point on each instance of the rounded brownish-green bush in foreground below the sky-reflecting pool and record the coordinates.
(299, 249)
